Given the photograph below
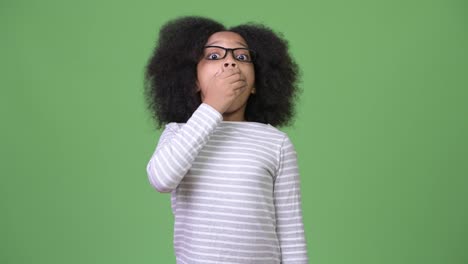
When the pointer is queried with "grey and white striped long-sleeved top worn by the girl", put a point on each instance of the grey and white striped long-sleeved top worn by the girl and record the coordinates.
(234, 191)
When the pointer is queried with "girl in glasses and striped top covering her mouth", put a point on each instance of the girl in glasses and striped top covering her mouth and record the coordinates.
(233, 177)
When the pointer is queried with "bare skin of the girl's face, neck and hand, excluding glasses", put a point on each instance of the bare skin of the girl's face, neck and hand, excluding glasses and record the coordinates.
(226, 84)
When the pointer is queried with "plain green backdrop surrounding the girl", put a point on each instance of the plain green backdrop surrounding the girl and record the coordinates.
(381, 128)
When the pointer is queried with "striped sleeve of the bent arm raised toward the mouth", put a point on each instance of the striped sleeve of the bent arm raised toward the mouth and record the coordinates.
(177, 148)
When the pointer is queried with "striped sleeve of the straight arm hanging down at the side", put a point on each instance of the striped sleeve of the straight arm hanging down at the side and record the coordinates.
(287, 198)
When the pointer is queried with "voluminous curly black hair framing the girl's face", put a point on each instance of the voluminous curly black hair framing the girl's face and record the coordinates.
(171, 72)
